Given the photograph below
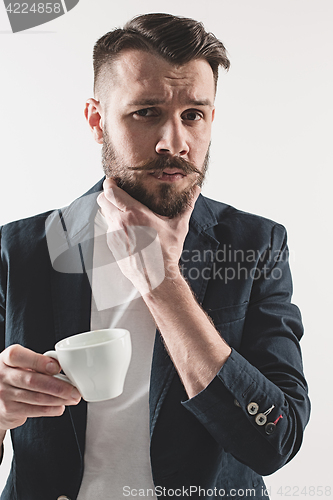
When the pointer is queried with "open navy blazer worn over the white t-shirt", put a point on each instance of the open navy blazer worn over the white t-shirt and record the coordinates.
(237, 266)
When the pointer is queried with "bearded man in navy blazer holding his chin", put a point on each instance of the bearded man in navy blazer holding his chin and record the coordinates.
(227, 396)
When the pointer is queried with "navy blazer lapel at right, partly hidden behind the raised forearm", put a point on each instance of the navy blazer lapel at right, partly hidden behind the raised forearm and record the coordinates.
(196, 263)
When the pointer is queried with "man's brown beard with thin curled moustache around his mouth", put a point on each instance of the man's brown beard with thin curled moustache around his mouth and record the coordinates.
(164, 199)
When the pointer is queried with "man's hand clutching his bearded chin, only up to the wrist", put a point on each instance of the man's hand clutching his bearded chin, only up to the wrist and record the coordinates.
(147, 246)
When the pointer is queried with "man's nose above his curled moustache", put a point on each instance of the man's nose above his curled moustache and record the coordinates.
(172, 139)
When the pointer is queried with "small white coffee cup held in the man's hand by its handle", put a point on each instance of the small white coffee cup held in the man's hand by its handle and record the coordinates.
(95, 362)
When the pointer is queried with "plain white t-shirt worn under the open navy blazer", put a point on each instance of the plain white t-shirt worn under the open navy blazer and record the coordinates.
(117, 437)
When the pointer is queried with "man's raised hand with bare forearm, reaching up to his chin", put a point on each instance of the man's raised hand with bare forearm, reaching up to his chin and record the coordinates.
(196, 348)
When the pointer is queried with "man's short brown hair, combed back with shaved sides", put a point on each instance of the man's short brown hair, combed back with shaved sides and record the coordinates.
(177, 39)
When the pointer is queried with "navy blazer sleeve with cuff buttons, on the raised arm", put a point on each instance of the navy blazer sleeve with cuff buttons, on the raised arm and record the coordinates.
(264, 376)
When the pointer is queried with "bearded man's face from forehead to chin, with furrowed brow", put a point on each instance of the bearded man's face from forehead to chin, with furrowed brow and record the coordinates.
(157, 128)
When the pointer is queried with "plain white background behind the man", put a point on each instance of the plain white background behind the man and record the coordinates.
(271, 149)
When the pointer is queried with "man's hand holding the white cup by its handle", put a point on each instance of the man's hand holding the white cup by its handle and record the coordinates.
(27, 388)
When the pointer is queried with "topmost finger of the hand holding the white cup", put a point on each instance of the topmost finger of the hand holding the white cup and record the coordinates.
(17, 356)
